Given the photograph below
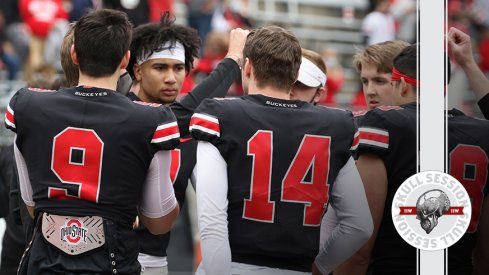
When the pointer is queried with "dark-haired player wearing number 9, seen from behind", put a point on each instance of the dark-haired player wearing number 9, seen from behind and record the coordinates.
(89, 158)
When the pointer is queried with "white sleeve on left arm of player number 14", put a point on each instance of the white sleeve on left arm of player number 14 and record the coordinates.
(210, 175)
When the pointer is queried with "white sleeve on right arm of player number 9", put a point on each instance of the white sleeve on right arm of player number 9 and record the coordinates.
(158, 198)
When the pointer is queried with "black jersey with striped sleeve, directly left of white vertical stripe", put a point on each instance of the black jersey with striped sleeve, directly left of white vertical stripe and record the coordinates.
(390, 133)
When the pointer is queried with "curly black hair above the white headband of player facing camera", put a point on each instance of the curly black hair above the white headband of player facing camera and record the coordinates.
(151, 37)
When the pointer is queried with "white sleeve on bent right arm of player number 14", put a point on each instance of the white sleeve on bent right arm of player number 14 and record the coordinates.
(354, 220)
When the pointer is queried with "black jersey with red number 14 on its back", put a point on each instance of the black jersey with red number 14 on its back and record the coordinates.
(282, 157)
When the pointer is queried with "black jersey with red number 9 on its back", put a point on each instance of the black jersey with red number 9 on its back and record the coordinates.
(87, 149)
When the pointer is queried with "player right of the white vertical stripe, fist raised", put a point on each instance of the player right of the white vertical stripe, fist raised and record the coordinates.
(468, 152)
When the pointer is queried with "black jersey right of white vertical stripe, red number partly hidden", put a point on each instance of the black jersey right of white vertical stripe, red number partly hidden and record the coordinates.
(468, 149)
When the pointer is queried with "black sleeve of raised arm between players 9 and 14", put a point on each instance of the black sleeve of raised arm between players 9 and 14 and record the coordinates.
(215, 85)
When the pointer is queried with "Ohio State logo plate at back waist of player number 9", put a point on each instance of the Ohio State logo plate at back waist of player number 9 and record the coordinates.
(73, 235)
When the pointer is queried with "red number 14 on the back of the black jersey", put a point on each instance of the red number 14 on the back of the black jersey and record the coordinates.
(313, 153)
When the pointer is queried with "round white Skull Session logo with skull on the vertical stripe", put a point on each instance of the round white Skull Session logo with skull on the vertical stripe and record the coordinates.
(431, 210)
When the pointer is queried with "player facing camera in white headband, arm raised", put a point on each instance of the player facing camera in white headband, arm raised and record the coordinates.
(162, 54)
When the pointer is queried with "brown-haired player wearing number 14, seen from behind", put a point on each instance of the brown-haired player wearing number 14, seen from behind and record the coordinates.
(266, 167)
